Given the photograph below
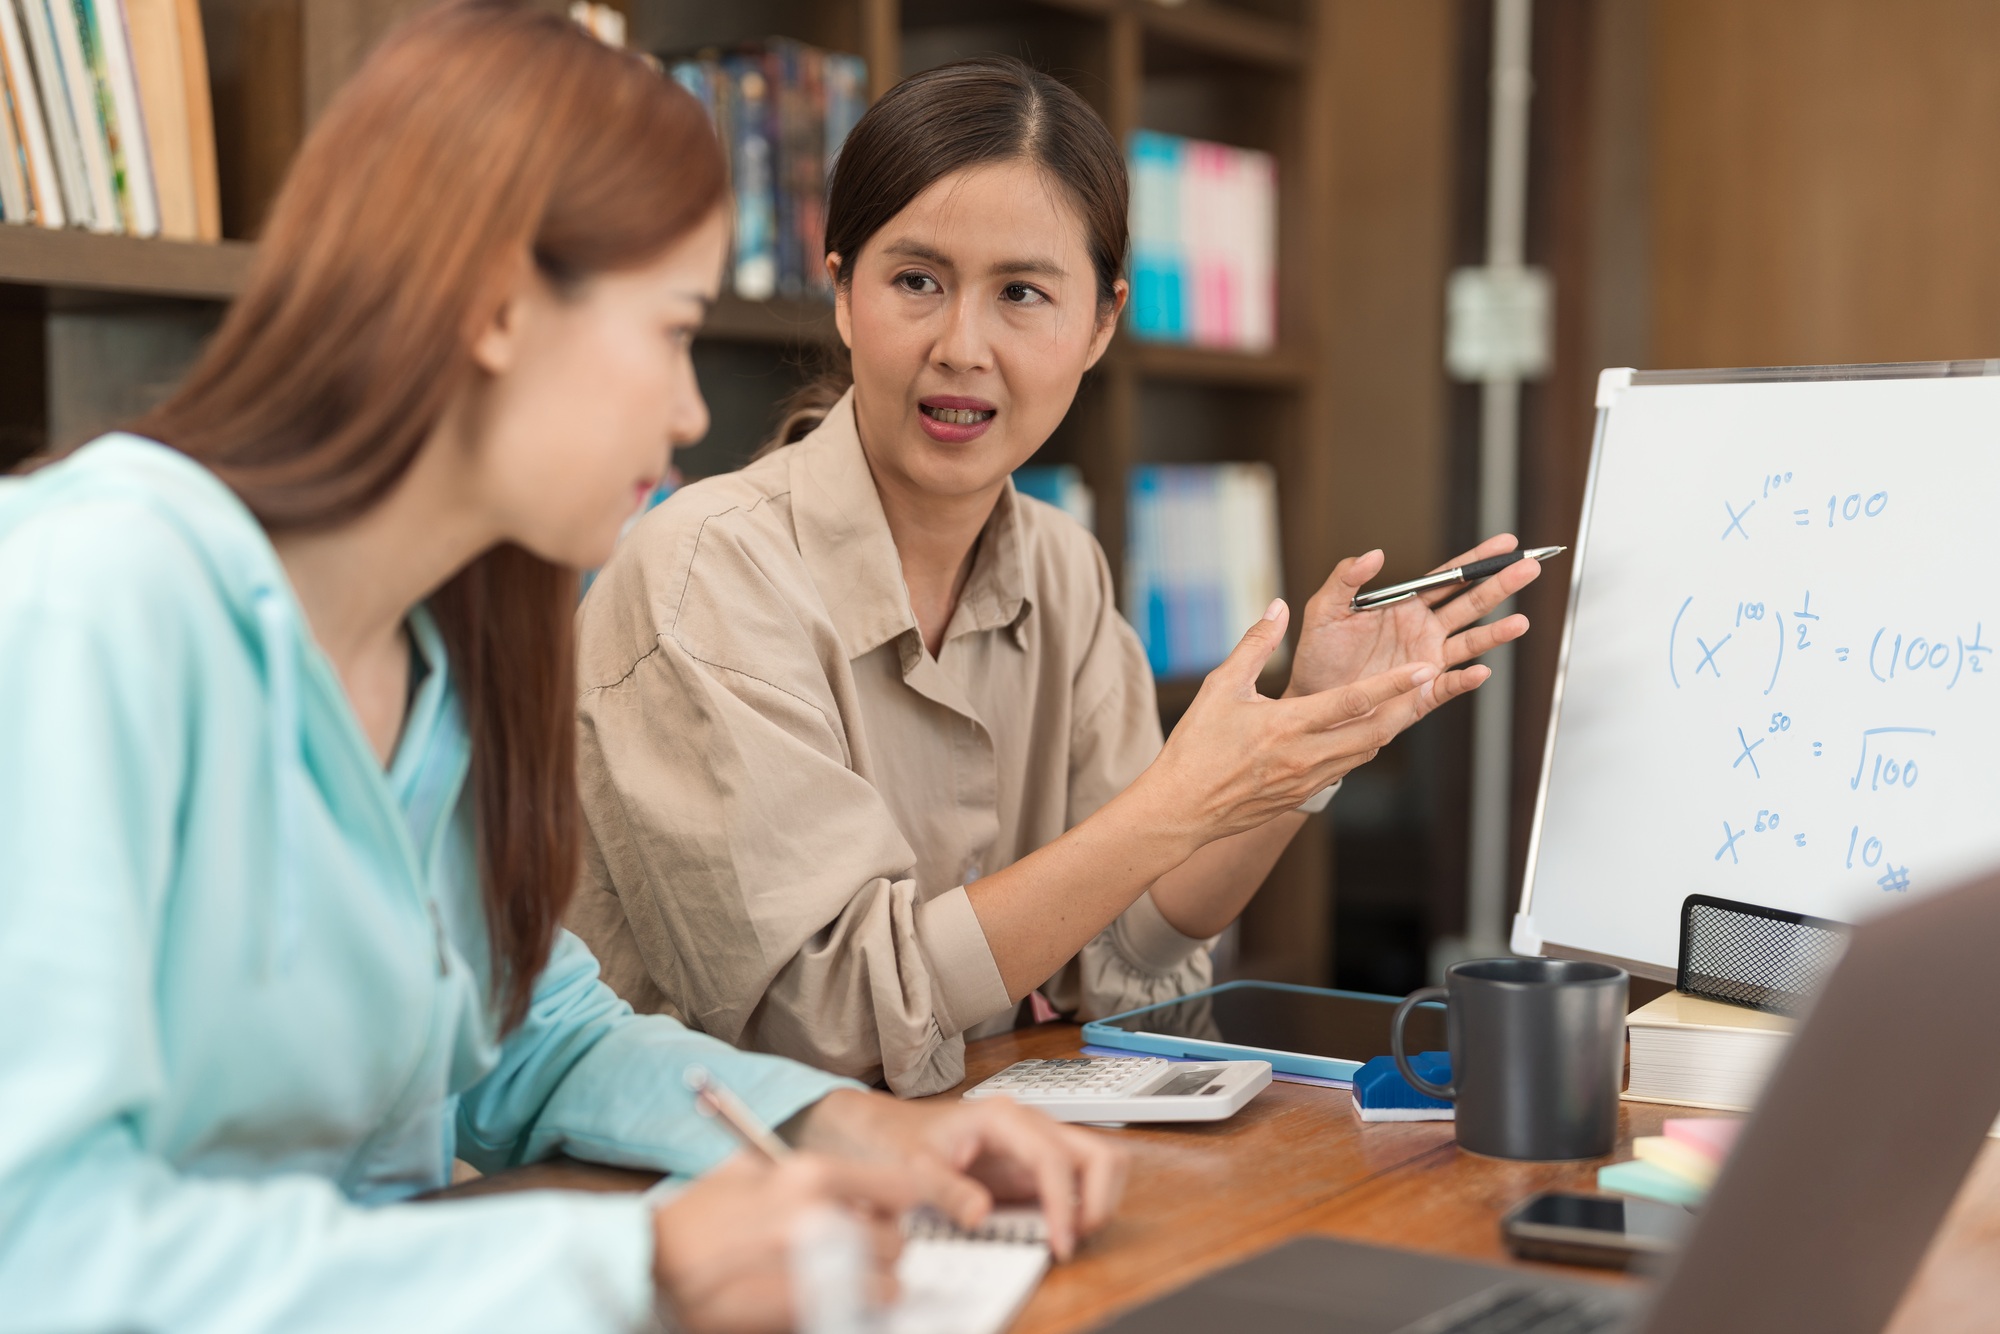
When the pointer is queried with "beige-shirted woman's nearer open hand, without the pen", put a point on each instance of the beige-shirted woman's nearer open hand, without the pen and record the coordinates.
(1241, 759)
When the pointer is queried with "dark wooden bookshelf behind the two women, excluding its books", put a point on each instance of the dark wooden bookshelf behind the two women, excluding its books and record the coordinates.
(97, 327)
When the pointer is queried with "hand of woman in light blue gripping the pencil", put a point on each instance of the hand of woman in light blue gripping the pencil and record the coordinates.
(723, 1249)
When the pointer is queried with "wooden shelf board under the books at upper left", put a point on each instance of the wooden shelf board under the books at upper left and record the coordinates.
(89, 263)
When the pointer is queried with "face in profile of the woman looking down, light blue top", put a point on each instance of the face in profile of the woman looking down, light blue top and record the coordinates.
(587, 395)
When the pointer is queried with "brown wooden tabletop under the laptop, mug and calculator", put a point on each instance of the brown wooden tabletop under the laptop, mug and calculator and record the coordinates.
(1299, 1163)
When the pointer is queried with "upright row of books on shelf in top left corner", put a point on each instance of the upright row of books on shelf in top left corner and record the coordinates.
(105, 119)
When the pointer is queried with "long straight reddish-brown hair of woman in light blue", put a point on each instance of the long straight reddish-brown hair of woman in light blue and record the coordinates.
(477, 133)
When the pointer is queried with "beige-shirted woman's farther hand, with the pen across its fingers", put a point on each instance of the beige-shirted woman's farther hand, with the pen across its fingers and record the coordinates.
(1339, 645)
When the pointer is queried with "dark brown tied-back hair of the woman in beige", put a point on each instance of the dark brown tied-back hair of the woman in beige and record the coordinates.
(969, 113)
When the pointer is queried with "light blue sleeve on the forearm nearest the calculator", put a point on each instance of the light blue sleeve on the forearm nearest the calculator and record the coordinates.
(589, 1079)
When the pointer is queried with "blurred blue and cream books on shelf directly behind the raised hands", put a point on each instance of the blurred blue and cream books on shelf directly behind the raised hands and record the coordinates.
(1201, 559)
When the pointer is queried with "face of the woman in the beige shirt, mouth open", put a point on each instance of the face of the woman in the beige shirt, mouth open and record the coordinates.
(971, 317)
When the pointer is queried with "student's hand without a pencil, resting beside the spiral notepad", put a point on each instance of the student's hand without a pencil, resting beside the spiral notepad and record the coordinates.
(967, 1155)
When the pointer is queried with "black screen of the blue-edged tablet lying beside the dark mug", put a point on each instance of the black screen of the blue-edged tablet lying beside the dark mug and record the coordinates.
(1309, 1023)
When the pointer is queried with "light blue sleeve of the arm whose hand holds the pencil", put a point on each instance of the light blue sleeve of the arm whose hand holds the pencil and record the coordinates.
(97, 1233)
